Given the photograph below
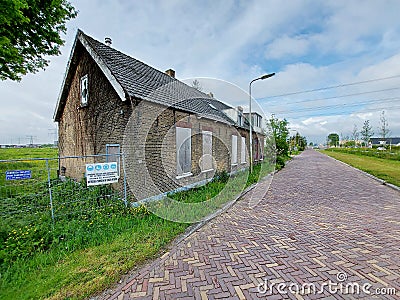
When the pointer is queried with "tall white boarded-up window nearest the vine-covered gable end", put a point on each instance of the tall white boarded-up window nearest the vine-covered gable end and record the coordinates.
(183, 151)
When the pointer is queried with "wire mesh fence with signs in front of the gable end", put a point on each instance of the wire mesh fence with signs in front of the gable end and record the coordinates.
(33, 189)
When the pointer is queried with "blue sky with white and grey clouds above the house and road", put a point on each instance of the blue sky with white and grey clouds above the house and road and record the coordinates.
(337, 63)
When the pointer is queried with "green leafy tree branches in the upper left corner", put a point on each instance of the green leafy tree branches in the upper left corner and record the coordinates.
(30, 31)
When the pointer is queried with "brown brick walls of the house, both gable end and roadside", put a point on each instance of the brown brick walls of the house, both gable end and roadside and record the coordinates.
(145, 131)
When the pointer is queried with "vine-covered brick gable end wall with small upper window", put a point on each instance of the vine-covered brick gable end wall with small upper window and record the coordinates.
(86, 130)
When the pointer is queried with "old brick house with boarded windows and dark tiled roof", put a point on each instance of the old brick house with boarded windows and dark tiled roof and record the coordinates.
(171, 134)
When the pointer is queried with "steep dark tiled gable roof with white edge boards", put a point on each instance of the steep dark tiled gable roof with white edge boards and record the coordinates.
(132, 78)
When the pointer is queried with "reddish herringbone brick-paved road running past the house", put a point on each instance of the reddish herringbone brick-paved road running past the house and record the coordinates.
(320, 222)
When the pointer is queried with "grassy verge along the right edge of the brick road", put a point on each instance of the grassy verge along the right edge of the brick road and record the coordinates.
(386, 169)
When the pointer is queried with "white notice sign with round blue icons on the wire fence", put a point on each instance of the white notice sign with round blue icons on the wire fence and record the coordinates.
(101, 173)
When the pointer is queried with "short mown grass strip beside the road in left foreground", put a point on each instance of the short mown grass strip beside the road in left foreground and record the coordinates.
(78, 274)
